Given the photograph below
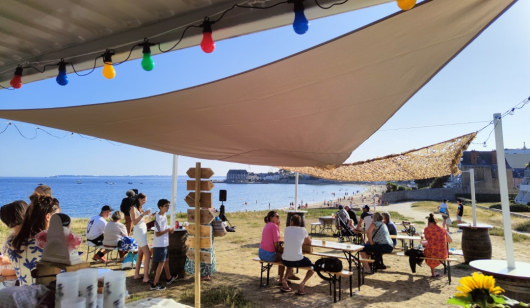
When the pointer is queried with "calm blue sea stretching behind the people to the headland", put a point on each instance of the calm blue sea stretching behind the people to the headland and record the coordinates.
(84, 196)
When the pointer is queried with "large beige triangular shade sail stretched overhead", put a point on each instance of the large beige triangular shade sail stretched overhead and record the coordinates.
(310, 109)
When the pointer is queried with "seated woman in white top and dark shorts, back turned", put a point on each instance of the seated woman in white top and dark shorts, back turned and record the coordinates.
(295, 236)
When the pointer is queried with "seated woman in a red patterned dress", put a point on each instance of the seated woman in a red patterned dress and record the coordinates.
(435, 244)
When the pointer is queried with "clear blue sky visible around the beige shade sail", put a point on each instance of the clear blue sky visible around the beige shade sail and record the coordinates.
(491, 75)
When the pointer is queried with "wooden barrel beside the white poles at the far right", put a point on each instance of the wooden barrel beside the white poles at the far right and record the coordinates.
(476, 244)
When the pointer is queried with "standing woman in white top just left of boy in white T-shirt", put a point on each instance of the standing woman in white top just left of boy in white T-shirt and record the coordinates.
(140, 235)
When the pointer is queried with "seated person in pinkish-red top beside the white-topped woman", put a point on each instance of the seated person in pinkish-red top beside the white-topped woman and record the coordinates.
(270, 241)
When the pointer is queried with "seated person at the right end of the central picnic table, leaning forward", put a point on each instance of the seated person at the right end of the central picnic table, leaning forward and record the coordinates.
(379, 241)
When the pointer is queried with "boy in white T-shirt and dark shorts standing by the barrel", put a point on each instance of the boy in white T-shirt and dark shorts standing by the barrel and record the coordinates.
(160, 245)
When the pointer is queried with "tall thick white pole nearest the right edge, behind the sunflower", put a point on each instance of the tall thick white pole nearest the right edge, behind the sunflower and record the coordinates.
(503, 187)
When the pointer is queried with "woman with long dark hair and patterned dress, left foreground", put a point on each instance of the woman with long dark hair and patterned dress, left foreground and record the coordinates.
(22, 250)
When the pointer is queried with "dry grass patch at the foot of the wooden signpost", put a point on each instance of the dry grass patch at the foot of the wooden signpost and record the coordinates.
(221, 296)
